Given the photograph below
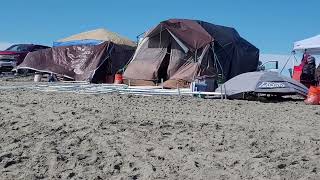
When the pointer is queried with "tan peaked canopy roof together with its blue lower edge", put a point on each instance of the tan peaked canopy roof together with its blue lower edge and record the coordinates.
(94, 37)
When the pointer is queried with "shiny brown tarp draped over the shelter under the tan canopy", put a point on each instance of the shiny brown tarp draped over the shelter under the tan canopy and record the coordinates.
(80, 63)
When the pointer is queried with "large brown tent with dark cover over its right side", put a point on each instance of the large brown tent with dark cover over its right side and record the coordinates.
(179, 51)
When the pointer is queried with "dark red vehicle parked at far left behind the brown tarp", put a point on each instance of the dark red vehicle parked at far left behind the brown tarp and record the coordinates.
(15, 54)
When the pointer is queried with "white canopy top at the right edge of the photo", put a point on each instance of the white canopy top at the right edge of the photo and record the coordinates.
(310, 45)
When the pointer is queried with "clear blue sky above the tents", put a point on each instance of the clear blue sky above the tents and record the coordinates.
(271, 25)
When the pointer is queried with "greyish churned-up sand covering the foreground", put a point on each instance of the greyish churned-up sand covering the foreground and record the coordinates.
(72, 136)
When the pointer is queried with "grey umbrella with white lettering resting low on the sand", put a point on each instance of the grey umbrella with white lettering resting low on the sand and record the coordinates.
(262, 83)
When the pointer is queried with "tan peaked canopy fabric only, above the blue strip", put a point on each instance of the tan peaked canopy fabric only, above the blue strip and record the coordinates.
(102, 35)
